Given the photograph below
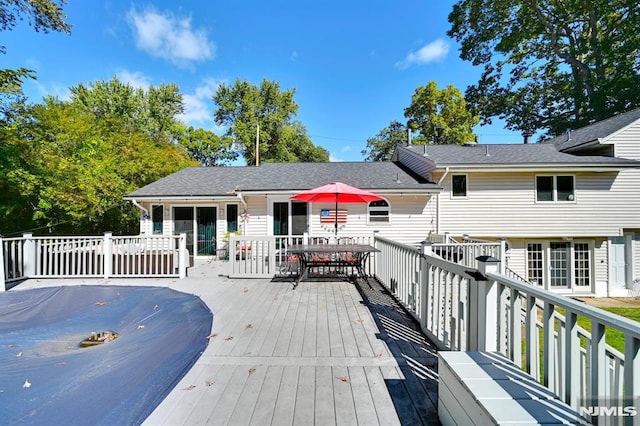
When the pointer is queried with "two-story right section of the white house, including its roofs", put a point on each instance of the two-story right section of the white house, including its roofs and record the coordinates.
(569, 208)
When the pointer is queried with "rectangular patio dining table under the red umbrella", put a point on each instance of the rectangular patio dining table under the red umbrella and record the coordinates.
(331, 255)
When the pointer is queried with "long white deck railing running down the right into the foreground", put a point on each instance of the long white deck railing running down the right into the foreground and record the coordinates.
(463, 308)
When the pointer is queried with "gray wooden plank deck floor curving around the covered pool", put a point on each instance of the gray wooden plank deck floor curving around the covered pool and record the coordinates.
(325, 353)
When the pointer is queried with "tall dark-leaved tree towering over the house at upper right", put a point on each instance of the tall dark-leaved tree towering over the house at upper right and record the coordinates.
(550, 65)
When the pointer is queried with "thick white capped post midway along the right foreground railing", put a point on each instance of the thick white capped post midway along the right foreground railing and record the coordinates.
(483, 307)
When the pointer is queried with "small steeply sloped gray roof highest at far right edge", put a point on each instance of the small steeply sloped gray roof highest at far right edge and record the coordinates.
(595, 131)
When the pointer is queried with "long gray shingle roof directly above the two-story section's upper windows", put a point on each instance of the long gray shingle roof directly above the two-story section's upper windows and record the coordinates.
(488, 155)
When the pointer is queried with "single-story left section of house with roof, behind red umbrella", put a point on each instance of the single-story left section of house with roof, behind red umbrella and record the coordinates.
(209, 202)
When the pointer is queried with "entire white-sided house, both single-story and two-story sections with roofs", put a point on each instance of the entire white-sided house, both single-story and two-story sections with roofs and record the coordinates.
(569, 208)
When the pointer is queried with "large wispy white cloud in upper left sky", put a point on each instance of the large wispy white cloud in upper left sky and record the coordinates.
(169, 37)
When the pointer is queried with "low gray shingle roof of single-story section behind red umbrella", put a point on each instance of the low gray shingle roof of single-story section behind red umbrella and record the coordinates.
(220, 181)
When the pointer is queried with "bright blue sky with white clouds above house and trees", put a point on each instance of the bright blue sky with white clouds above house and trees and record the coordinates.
(354, 65)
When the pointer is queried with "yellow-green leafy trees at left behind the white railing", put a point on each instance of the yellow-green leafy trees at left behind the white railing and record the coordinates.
(69, 168)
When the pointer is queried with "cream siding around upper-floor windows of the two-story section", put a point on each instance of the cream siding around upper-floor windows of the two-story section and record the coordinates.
(504, 205)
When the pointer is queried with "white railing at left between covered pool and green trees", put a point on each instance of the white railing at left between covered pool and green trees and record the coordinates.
(92, 256)
